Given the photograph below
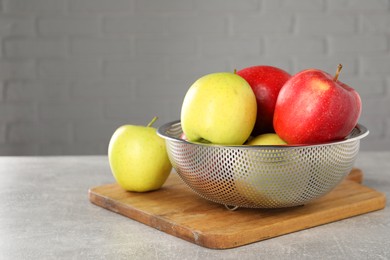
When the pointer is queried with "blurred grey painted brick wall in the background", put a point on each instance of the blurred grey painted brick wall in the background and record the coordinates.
(72, 71)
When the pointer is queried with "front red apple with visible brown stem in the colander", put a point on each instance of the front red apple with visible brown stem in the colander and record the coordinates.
(314, 107)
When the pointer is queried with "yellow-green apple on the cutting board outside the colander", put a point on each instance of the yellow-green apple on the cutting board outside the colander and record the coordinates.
(138, 158)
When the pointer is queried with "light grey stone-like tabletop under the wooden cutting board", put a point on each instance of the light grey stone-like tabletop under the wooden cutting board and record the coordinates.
(45, 214)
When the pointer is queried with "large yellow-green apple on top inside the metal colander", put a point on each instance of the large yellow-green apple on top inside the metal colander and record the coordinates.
(219, 108)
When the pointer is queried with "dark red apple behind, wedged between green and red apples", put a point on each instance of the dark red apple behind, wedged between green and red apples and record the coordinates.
(266, 82)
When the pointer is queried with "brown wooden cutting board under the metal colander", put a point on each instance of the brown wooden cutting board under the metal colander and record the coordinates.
(177, 210)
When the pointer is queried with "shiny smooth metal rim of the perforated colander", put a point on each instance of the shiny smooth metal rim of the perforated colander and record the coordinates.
(163, 129)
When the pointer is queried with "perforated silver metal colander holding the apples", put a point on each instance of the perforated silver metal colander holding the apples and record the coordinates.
(261, 176)
